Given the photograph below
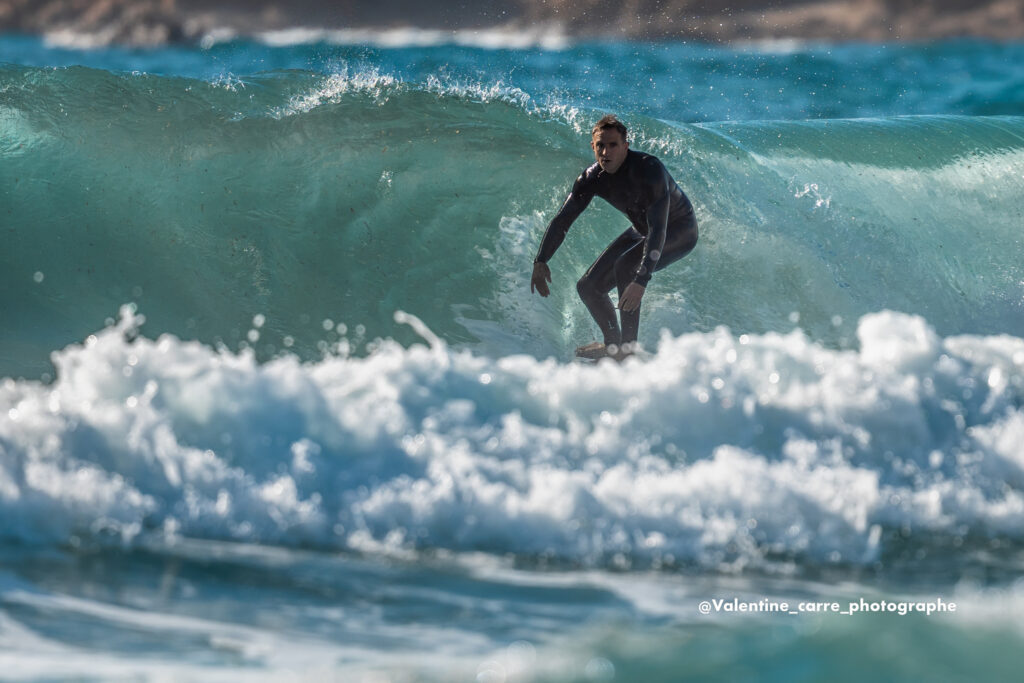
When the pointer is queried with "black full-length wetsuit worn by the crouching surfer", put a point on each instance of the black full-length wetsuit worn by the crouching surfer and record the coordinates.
(664, 231)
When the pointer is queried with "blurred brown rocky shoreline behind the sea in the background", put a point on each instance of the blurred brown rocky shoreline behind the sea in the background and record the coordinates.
(149, 23)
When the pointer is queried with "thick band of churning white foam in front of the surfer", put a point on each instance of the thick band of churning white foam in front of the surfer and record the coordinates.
(717, 450)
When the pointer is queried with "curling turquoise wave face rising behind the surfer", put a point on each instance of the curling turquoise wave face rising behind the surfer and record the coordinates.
(288, 210)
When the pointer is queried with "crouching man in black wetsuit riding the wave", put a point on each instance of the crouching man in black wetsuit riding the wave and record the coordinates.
(663, 231)
